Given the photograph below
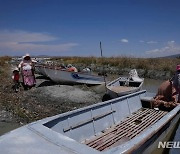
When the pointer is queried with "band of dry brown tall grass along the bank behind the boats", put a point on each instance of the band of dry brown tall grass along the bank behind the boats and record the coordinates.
(159, 64)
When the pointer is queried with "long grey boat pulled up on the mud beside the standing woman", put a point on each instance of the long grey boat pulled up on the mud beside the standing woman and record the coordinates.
(62, 76)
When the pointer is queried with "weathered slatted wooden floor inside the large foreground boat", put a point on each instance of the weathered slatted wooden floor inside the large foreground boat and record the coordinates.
(125, 130)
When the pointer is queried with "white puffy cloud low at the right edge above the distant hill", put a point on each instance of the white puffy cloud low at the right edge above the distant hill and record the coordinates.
(170, 49)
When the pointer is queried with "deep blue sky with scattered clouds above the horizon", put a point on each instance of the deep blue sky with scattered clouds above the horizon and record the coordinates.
(138, 28)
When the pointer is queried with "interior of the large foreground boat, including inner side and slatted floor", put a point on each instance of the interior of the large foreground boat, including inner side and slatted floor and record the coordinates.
(108, 124)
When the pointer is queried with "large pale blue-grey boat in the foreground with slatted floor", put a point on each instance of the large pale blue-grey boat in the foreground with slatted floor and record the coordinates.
(120, 125)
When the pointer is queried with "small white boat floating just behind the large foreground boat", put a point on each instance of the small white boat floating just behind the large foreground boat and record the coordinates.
(125, 85)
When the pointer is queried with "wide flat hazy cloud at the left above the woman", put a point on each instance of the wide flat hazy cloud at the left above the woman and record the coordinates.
(13, 41)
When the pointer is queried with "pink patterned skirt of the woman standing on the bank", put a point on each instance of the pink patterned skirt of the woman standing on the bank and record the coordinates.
(28, 77)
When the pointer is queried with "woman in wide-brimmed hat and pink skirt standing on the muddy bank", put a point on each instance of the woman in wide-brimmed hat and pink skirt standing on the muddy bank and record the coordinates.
(27, 70)
